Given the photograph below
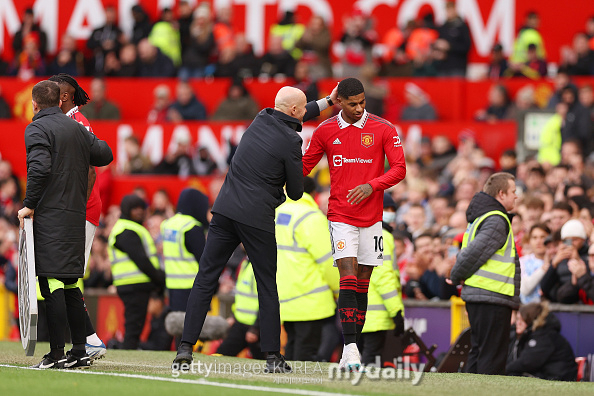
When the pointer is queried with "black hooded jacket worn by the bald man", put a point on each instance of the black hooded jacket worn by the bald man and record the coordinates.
(268, 157)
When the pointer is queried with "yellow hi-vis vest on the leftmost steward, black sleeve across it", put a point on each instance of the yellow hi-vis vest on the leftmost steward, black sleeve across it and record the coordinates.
(123, 270)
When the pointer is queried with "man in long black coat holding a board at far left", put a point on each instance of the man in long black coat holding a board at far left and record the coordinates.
(59, 153)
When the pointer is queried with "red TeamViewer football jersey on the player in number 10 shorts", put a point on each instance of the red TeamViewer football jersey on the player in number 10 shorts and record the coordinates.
(356, 154)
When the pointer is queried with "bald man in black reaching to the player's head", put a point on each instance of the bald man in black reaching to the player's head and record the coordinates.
(268, 157)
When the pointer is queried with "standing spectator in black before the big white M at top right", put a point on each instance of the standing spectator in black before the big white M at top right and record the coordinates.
(457, 34)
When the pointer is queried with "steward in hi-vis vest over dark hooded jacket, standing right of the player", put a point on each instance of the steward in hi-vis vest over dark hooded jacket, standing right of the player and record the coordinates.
(488, 265)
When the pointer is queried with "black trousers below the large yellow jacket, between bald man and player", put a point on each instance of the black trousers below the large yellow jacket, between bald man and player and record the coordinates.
(303, 339)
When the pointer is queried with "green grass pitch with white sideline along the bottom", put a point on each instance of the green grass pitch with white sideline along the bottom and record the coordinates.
(129, 373)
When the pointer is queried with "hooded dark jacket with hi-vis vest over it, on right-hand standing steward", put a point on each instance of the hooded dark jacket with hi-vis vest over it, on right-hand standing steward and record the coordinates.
(488, 262)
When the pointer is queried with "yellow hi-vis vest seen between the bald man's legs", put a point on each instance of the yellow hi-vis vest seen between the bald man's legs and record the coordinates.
(245, 309)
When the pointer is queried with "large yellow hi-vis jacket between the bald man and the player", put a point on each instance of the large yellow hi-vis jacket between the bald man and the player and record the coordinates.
(305, 277)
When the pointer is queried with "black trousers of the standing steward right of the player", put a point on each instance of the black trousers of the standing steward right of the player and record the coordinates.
(489, 338)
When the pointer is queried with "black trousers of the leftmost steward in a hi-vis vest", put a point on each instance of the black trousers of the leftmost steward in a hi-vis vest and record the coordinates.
(135, 298)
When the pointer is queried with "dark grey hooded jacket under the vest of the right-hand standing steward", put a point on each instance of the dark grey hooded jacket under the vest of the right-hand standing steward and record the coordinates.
(490, 237)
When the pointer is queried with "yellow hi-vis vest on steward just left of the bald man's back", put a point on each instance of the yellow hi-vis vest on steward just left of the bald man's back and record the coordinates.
(181, 266)
